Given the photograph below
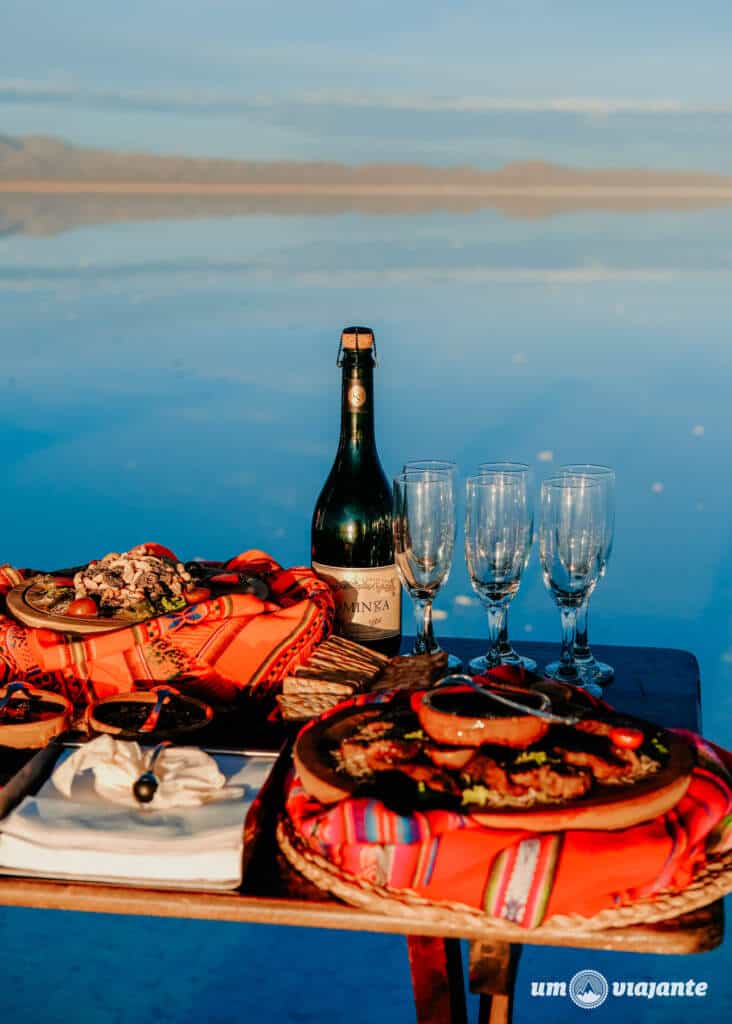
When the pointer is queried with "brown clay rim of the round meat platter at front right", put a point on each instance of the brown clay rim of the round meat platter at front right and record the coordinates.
(608, 808)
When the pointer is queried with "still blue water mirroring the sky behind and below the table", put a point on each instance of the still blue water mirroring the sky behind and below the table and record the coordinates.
(177, 381)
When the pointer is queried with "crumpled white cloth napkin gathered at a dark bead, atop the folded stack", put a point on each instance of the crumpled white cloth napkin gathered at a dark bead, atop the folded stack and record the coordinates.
(188, 777)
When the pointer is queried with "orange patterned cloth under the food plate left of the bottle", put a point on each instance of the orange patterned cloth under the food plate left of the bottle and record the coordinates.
(213, 650)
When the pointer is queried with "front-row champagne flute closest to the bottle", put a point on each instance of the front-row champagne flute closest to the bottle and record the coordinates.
(424, 527)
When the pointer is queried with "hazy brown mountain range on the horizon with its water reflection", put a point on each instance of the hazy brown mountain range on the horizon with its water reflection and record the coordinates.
(49, 186)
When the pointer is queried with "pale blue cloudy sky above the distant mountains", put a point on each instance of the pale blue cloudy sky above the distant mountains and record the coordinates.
(622, 84)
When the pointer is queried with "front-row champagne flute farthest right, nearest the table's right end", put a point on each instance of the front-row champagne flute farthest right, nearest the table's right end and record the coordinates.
(573, 532)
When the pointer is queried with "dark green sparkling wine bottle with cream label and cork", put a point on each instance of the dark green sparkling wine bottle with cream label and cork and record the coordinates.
(353, 542)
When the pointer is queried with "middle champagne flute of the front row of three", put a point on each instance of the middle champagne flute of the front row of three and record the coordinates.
(499, 528)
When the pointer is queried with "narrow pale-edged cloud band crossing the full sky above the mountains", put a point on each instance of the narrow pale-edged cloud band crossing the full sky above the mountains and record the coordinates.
(25, 92)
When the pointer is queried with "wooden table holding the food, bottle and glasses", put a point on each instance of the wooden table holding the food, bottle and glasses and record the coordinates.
(661, 685)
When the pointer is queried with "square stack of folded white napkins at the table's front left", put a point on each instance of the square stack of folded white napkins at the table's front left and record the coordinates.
(83, 835)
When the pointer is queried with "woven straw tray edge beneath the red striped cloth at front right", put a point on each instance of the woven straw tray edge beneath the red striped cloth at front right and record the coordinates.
(711, 884)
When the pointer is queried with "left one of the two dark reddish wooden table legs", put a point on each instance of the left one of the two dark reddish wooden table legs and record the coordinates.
(437, 968)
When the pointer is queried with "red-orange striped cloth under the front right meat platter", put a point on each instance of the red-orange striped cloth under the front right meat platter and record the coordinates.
(520, 876)
